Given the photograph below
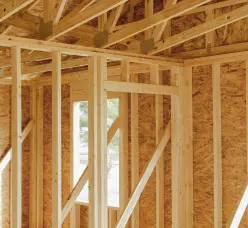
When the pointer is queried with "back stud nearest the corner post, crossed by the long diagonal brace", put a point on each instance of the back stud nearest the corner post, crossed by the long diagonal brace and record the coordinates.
(155, 78)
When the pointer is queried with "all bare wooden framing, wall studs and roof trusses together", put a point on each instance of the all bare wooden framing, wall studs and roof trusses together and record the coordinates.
(107, 72)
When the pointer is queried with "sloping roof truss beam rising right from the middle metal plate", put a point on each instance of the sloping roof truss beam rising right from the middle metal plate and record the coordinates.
(157, 18)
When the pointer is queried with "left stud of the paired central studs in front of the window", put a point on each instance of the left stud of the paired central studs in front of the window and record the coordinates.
(92, 143)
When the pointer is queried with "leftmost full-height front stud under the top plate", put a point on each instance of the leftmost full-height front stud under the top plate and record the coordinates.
(16, 164)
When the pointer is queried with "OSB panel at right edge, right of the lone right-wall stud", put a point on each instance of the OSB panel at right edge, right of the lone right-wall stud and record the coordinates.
(233, 139)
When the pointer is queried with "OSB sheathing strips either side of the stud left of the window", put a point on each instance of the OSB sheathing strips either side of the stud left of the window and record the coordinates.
(48, 152)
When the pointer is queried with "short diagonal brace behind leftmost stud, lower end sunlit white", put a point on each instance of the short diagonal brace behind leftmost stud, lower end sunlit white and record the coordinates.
(6, 159)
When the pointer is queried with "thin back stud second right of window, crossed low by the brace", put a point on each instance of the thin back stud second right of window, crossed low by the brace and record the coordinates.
(135, 149)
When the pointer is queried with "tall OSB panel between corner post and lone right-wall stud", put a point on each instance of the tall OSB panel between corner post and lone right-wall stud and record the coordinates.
(203, 147)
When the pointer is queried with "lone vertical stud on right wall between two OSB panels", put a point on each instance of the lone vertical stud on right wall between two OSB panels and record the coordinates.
(217, 145)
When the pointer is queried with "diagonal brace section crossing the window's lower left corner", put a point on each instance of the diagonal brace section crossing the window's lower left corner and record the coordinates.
(75, 193)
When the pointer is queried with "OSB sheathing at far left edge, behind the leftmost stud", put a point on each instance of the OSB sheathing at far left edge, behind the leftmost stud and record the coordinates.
(5, 140)
